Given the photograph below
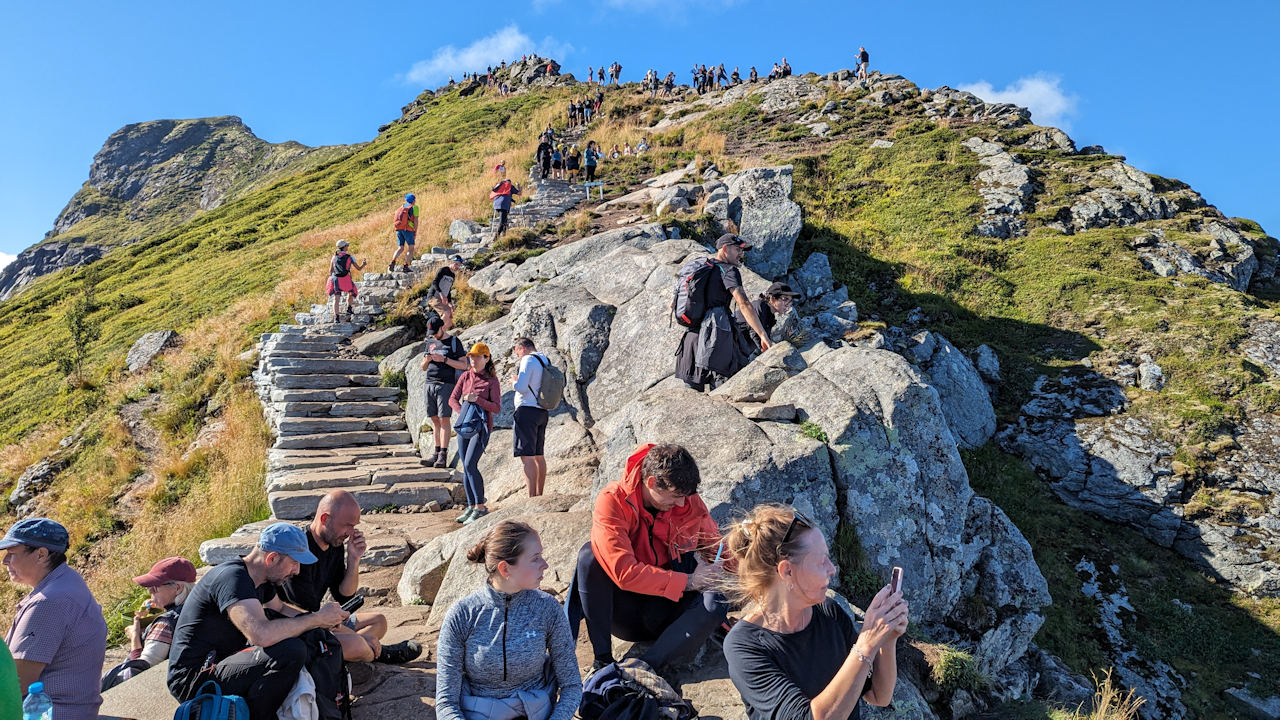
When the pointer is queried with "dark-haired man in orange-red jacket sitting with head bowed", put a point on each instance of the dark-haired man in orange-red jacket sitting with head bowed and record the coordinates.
(651, 569)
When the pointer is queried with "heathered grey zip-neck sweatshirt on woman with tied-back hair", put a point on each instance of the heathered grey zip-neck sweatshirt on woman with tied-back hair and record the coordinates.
(499, 642)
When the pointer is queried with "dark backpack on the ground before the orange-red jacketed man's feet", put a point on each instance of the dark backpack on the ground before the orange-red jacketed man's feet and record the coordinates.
(632, 691)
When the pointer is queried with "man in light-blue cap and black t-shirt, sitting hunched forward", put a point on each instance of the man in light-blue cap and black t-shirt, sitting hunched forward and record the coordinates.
(235, 609)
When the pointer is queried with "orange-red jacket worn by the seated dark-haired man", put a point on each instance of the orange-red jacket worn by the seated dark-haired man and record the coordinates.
(633, 544)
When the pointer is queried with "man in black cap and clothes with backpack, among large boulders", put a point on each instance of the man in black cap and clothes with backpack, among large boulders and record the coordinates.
(714, 350)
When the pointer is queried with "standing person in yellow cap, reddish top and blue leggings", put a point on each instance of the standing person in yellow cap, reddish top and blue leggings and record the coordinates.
(478, 388)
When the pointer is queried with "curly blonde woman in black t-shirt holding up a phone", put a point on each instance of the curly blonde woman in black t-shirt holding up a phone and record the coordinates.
(796, 654)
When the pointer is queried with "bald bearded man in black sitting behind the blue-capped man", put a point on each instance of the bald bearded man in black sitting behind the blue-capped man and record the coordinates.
(337, 571)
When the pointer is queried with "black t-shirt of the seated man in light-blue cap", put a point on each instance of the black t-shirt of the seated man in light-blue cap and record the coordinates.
(204, 627)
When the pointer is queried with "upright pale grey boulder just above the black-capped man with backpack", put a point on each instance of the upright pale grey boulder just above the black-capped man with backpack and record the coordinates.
(762, 209)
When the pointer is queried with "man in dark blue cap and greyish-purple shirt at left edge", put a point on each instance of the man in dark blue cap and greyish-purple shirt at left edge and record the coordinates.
(58, 635)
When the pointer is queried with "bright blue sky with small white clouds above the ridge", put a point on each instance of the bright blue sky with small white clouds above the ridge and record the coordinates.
(1183, 90)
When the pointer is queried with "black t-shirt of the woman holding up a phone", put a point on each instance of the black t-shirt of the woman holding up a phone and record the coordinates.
(779, 675)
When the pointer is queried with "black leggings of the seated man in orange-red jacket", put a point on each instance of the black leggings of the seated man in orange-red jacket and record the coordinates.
(678, 628)
